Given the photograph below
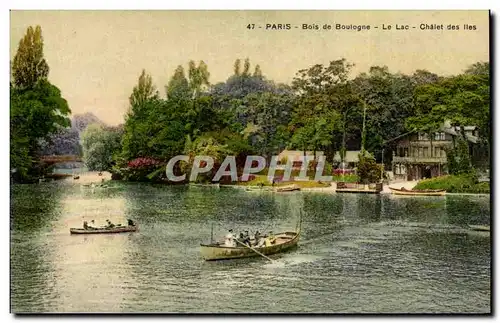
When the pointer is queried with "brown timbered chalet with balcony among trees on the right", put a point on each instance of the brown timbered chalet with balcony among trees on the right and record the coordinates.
(417, 156)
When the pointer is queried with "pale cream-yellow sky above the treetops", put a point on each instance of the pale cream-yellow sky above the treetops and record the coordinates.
(96, 57)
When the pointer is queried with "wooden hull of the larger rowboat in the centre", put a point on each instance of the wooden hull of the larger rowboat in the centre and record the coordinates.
(211, 252)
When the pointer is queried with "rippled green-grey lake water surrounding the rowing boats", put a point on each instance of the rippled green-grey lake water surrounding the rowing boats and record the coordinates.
(357, 253)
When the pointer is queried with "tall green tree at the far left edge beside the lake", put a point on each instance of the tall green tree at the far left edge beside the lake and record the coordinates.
(37, 109)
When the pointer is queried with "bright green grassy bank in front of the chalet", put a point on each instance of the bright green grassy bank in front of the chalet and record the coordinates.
(454, 184)
